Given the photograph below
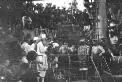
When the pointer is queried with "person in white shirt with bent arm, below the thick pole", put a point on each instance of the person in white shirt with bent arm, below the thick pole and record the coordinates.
(97, 52)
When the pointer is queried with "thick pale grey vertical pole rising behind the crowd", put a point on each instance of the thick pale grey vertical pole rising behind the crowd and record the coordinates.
(101, 27)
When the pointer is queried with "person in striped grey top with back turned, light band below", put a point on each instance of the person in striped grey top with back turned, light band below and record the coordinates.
(83, 54)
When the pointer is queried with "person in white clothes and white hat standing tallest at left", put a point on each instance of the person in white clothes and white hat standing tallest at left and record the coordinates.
(41, 58)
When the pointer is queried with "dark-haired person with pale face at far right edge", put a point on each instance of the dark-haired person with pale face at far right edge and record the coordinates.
(114, 50)
